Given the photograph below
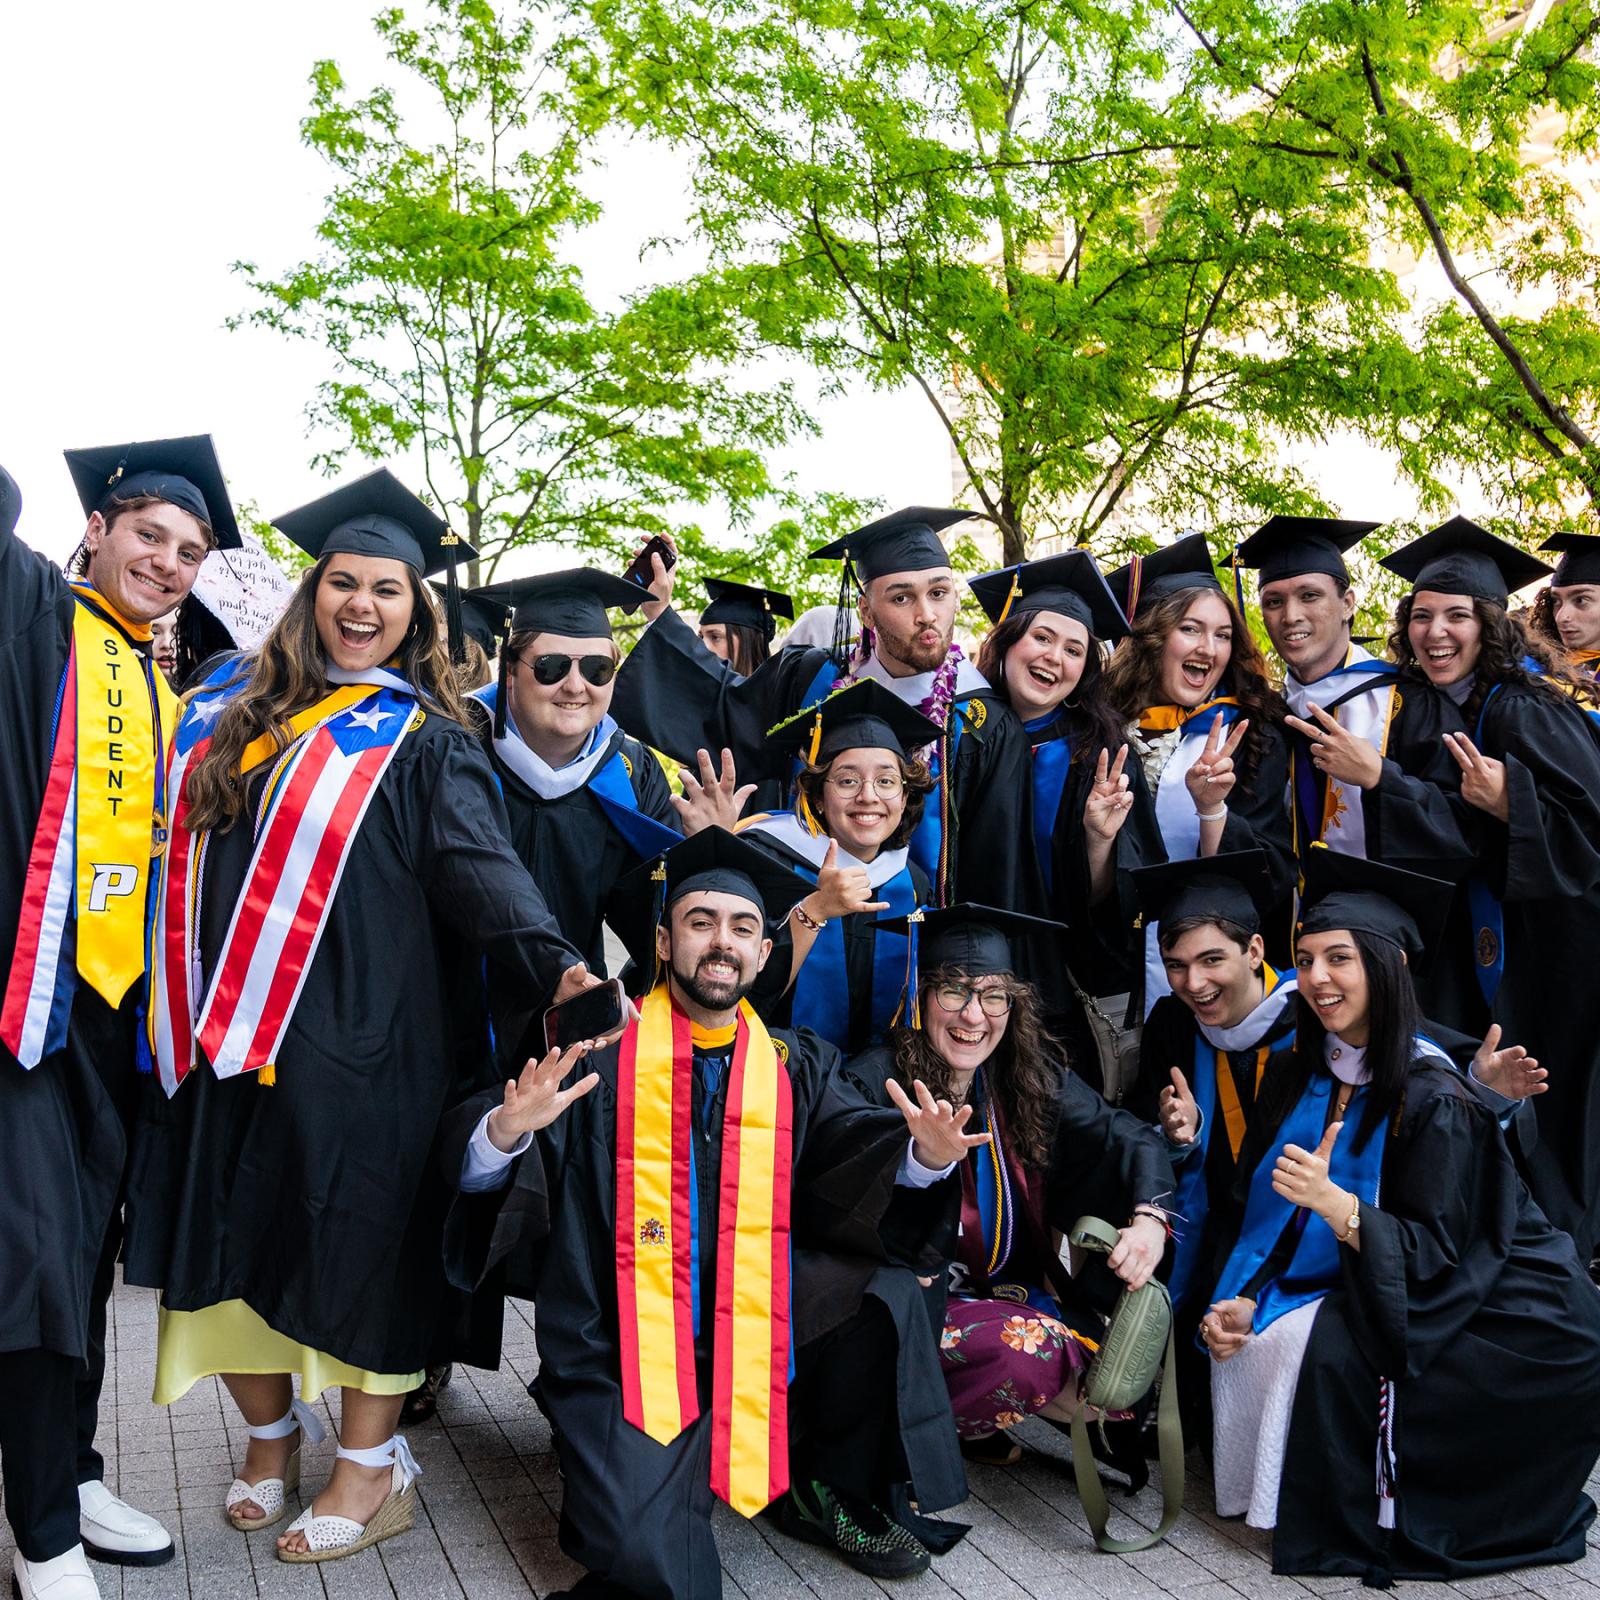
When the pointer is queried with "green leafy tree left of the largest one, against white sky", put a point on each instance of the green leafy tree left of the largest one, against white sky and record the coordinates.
(460, 329)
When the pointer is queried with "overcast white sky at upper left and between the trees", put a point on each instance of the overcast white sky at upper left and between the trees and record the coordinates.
(151, 145)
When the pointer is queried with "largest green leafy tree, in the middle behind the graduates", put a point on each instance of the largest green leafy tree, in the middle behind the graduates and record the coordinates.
(1042, 220)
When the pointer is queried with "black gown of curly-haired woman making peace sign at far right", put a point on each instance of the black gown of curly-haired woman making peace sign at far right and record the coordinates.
(1545, 868)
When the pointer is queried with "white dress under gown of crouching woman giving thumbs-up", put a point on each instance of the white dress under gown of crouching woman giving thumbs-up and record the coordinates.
(1252, 1401)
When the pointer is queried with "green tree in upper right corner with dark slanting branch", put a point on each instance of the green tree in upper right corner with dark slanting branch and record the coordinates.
(1460, 127)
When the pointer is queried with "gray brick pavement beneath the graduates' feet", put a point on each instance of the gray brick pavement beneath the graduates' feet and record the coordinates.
(490, 1498)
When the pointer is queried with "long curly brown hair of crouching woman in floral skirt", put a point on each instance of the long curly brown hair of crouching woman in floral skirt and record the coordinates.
(1025, 1073)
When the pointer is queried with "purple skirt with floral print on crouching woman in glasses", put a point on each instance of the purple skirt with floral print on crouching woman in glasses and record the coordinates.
(1004, 1362)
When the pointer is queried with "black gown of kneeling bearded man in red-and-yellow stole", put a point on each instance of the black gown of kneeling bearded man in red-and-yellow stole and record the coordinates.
(636, 1513)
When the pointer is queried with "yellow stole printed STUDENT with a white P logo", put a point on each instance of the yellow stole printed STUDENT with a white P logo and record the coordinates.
(126, 721)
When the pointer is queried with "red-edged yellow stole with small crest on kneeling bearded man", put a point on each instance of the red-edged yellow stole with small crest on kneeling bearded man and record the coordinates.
(657, 1252)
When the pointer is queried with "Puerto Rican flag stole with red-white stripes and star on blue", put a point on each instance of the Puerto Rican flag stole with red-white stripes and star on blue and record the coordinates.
(306, 818)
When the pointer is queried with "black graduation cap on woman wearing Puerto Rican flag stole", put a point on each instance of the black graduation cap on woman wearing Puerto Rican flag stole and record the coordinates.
(378, 516)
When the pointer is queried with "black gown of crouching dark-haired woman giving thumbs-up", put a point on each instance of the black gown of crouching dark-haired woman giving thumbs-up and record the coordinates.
(1482, 1316)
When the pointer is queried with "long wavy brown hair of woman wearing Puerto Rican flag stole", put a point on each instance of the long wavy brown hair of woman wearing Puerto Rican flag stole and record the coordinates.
(287, 674)
